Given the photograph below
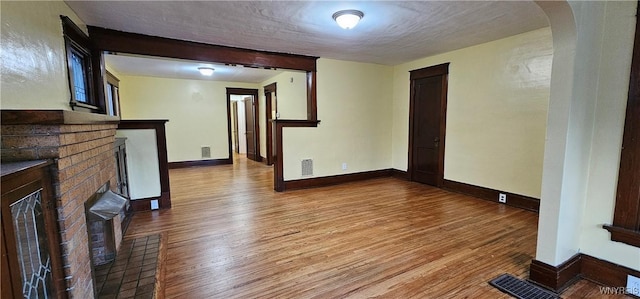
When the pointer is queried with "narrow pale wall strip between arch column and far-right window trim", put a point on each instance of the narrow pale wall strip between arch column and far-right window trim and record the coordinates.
(612, 88)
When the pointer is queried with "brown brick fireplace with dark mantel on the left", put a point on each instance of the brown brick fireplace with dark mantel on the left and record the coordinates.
(81, 146)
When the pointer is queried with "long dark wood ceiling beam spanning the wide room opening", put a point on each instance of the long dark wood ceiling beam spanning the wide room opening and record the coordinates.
(126, 42)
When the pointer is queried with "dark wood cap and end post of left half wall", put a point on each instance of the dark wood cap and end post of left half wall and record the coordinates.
(161, 144)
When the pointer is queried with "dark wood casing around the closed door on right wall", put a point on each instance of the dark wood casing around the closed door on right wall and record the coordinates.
(431, 71)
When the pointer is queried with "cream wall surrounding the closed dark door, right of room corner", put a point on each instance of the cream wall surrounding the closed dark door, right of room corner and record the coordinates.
(496, 112)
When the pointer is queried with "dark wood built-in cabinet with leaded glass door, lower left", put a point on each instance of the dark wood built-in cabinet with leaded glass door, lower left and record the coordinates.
(31, 260)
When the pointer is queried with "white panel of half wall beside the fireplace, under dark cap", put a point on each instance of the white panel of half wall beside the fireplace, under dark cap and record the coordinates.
(142, 163)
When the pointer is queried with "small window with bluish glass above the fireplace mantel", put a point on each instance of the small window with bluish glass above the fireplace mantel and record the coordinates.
(79, 67)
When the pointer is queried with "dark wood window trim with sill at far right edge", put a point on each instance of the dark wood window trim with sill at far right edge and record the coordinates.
(626, 217)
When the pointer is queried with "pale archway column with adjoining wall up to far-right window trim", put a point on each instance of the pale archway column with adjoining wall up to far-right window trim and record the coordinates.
(582, 155)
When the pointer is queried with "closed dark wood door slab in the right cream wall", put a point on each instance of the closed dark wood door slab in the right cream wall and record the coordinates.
(427, 131)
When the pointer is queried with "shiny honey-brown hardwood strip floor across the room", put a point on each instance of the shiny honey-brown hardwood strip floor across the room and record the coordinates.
(231, 236)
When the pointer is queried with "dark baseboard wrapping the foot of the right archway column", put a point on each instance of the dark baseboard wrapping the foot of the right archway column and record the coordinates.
(556, 278)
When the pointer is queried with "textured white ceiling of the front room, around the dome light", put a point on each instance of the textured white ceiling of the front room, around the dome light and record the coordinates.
(391, 32)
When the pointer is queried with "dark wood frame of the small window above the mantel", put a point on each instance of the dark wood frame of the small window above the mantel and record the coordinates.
(77, 42)
